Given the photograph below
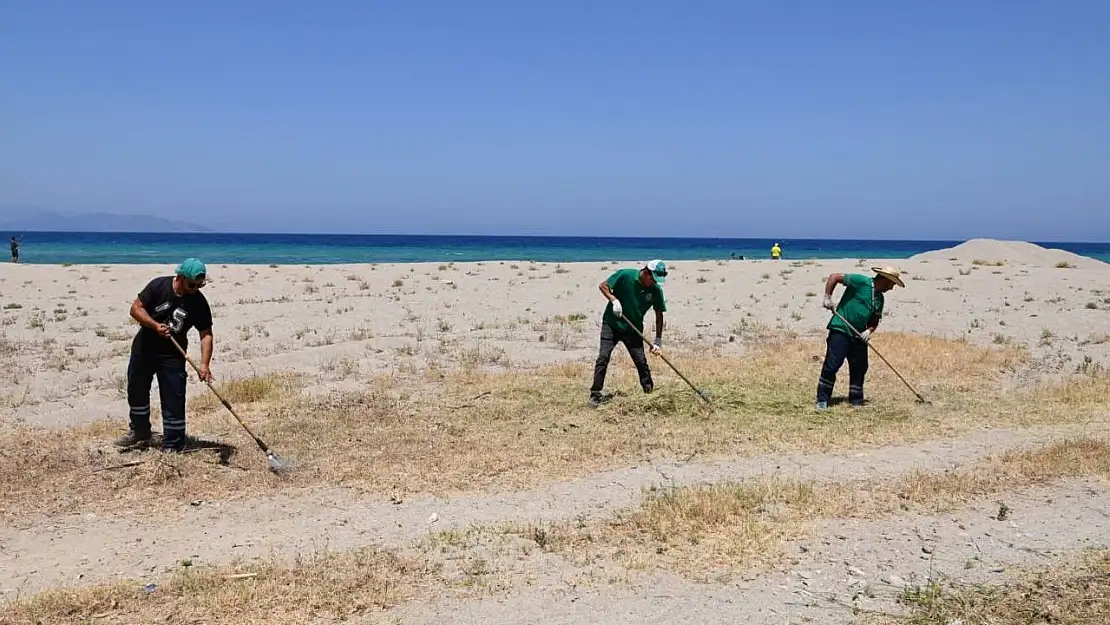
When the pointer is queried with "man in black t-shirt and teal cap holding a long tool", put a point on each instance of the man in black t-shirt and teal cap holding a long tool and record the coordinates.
(168, 307)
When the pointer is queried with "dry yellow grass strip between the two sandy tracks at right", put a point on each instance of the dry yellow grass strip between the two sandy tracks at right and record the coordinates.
(709, 531)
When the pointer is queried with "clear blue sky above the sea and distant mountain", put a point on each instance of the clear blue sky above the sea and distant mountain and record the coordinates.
(822, 118)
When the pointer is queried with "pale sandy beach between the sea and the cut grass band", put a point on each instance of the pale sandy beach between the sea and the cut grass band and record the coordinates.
(335, 322)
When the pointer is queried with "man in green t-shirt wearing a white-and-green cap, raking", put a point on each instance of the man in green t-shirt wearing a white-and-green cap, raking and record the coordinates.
(631, 293)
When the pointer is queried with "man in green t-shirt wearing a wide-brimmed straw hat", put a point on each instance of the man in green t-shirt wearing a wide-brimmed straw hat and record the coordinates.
(862, 307)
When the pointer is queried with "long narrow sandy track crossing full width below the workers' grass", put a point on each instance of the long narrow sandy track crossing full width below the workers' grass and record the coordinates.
(88, 549)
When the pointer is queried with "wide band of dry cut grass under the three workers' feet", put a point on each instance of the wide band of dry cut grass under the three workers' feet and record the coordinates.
(473, 430)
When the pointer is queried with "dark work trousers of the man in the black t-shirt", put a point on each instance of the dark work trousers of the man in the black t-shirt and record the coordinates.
(171, 387)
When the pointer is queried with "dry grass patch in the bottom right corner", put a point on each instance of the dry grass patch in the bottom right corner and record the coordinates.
(1077, 593)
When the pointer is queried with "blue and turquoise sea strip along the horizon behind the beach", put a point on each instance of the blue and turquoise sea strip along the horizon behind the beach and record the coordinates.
(142, 248)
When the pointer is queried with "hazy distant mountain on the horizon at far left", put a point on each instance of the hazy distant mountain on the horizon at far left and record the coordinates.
(45, 221)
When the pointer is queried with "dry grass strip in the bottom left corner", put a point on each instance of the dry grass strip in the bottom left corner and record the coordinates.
(339, 587)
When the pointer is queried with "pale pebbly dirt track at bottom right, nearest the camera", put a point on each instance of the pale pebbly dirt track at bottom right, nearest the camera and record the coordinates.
(847, 560)
